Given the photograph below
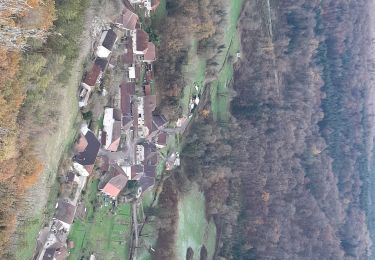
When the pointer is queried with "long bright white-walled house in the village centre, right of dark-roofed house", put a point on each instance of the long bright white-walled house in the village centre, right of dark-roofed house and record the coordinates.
(111, 133)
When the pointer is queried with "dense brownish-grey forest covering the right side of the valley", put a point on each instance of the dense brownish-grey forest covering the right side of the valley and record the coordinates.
(288, 176)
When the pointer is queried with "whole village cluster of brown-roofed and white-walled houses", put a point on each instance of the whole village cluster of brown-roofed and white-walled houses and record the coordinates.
(126, 148)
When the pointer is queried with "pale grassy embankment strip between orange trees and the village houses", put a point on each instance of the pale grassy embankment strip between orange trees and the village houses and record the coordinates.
(51, 73)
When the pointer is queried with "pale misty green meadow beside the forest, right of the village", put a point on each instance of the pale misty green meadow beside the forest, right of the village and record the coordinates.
(193, 229)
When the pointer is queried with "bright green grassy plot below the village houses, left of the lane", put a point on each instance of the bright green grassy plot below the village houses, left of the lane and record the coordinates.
(102, 232)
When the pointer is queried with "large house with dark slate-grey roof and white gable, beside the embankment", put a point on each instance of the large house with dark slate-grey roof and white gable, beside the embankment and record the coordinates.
(86, 150)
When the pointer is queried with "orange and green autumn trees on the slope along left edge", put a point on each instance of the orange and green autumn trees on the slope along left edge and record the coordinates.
(33, 75)
